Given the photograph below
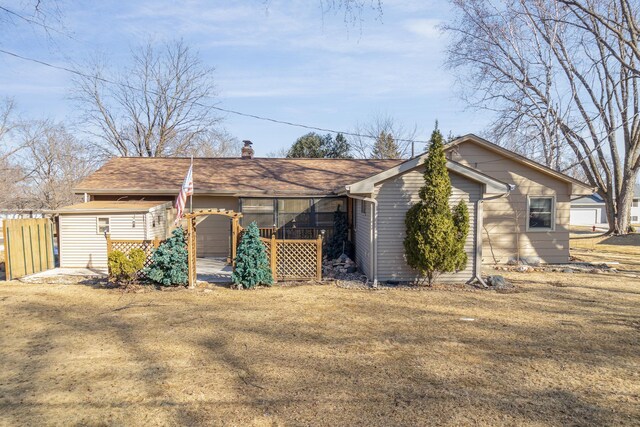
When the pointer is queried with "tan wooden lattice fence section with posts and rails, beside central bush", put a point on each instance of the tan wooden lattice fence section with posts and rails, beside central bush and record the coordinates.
(299, 259)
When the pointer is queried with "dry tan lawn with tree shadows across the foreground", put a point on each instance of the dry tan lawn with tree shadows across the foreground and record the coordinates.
(564, 350)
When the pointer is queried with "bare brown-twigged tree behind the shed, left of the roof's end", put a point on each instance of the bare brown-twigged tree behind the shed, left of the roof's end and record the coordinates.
(52, 163)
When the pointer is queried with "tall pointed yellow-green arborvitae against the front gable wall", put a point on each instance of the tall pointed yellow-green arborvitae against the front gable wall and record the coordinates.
(435, 237)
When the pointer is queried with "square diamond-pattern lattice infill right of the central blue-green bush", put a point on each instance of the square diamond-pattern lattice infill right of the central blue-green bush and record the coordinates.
(296, 260)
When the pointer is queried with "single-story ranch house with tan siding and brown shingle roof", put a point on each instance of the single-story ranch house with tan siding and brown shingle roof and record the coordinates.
(518, 208)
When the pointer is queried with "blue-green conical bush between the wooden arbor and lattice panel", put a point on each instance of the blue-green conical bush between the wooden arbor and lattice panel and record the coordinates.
(252, 265)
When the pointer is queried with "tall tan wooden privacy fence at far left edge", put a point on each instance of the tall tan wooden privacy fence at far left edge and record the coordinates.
(28, 246)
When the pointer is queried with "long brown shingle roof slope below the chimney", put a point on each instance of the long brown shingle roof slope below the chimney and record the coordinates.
(122, 175)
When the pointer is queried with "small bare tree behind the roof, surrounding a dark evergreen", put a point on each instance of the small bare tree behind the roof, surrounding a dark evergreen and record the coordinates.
(382, 124)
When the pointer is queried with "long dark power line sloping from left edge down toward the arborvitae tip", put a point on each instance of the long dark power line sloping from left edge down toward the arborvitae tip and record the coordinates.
(225, 110)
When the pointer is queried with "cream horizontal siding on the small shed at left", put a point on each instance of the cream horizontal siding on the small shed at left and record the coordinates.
(82, 246)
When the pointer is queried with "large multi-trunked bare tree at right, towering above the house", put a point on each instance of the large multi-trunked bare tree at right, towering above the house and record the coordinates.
(546, 68)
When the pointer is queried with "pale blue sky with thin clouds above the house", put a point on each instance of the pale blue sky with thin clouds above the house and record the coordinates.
(282, 59)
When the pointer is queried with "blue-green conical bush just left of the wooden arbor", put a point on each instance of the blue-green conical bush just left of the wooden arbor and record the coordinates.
(170, 262)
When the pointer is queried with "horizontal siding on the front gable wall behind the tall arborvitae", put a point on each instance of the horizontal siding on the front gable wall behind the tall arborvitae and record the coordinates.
(395, 196)
